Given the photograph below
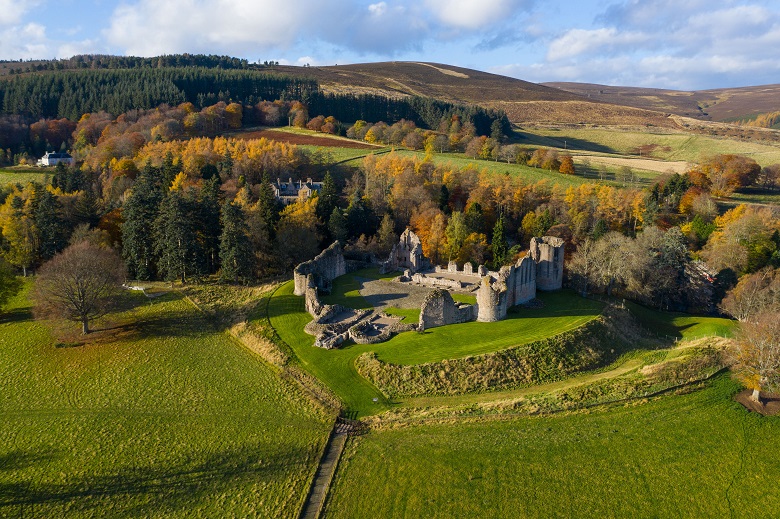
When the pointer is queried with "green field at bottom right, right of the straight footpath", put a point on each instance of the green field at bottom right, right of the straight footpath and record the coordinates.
(694, 455)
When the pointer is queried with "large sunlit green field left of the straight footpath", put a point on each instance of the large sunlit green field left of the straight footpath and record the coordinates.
(158, 415)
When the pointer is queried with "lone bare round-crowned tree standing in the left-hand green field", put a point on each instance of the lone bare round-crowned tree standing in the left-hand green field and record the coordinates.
(79, 284)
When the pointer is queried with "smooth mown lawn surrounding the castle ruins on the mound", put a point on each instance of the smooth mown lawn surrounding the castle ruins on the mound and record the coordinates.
(563, 311)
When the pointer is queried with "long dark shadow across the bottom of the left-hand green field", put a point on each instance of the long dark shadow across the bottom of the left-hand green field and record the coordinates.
(148, 490)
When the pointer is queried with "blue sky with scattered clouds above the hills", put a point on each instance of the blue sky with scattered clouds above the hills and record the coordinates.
(675, 44)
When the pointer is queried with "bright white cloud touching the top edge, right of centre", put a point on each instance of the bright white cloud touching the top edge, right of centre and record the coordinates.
(472, 14)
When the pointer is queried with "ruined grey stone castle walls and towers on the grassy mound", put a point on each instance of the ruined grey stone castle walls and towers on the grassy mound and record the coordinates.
(540, 269)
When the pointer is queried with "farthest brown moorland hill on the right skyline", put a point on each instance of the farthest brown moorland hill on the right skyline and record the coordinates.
(725, 104)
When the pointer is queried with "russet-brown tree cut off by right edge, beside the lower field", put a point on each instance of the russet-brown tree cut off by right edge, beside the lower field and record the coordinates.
(757, 353)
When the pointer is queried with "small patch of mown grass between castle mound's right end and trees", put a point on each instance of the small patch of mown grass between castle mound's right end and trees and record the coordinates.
(684, 326)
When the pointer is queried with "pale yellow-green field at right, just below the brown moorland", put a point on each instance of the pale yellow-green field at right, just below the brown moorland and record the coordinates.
(675, 146)
